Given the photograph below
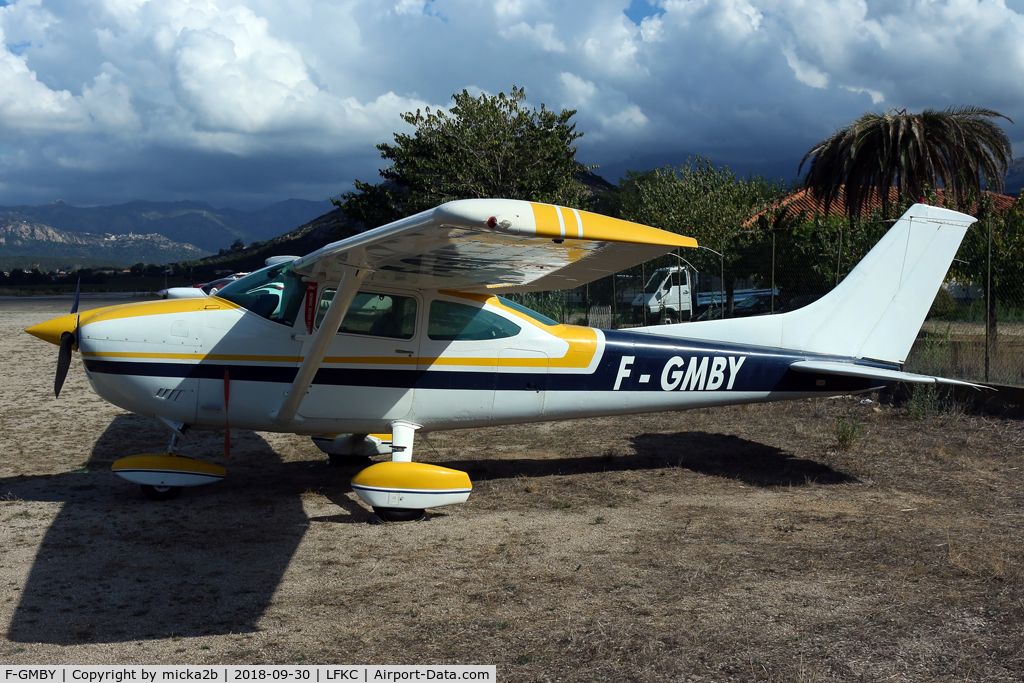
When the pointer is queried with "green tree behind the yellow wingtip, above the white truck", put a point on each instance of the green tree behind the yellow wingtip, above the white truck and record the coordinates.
(701, 201)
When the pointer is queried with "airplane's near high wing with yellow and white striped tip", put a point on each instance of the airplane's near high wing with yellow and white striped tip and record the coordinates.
(491, 244)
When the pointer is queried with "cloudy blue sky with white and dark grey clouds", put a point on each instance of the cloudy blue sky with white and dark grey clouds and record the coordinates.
(246, 104)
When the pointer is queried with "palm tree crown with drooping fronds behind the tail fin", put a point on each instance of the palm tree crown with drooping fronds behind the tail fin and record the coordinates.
(953, 149)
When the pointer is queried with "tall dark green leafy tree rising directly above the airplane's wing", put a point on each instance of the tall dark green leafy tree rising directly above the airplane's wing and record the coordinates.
(484, 147)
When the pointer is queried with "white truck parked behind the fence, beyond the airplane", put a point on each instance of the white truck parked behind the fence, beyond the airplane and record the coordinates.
(671, 296)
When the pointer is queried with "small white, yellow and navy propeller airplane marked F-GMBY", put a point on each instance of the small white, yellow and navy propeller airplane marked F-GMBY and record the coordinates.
(403, 329)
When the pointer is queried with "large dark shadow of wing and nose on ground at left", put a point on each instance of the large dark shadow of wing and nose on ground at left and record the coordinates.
(115, 567)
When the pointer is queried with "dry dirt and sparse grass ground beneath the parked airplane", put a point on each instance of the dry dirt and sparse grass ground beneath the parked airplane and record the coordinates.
(731, 544)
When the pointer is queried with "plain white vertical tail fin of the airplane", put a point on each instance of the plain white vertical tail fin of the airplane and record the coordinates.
(876, 313)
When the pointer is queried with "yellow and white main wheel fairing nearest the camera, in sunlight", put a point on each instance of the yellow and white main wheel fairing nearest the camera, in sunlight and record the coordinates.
(411, 486)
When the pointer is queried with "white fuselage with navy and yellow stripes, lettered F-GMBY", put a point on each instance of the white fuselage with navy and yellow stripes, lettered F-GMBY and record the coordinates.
(172, 360)
